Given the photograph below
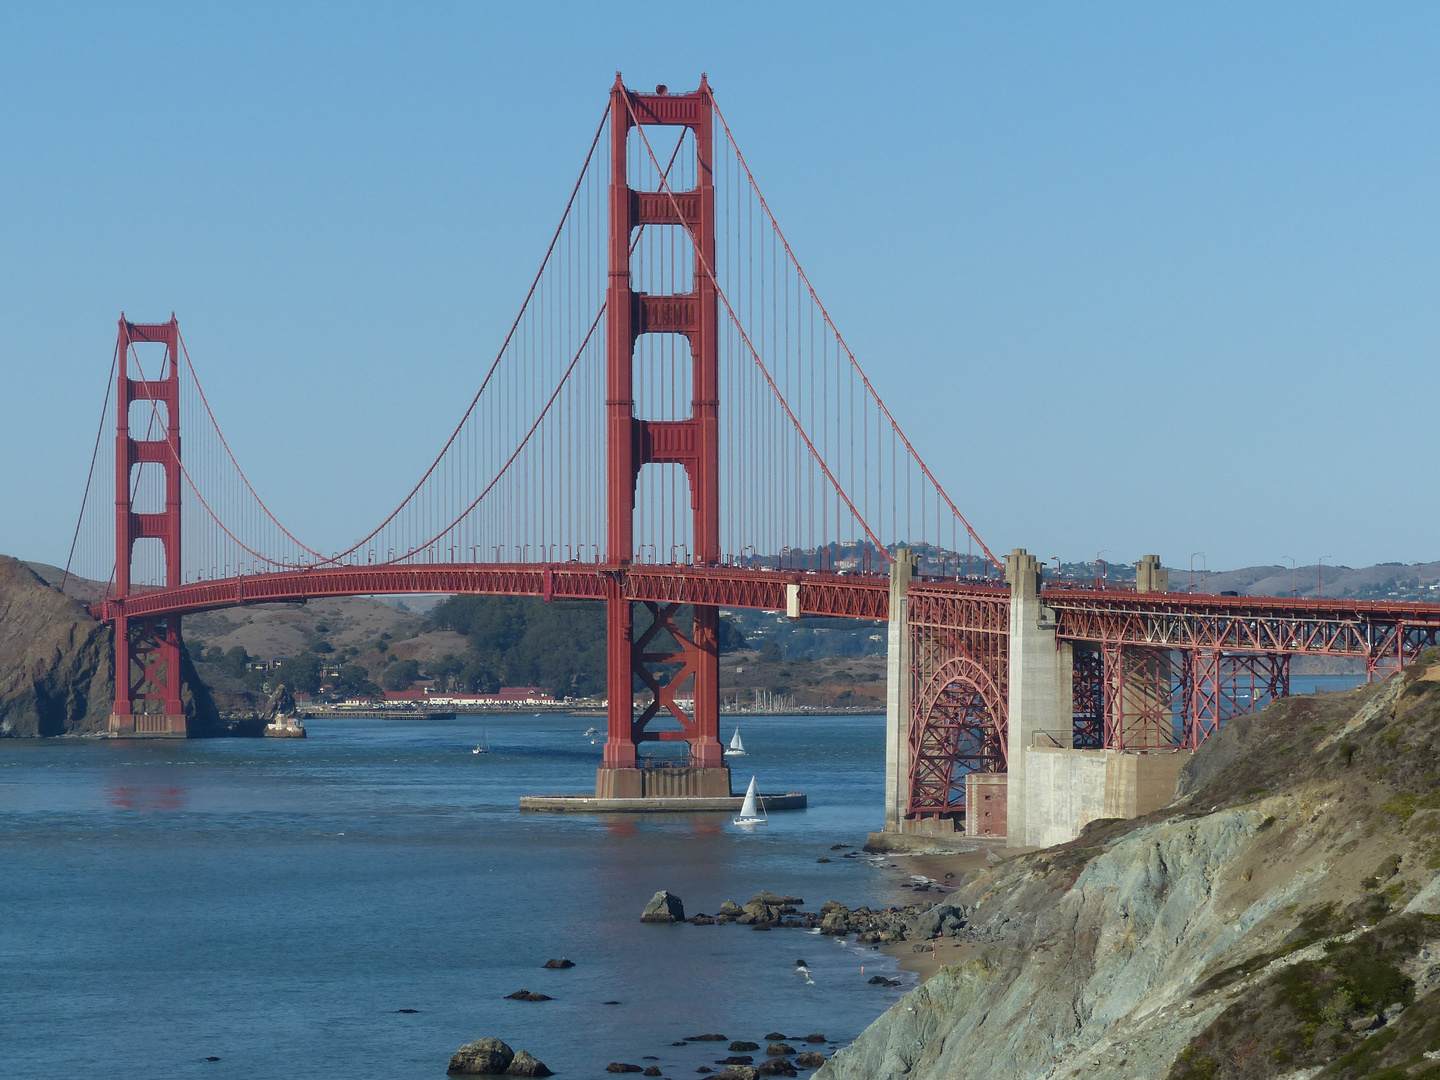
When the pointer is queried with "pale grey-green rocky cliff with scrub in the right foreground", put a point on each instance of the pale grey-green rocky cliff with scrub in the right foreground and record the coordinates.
(1279, 919)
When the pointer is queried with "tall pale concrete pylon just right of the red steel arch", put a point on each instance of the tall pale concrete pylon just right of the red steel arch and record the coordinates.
(1042, 685)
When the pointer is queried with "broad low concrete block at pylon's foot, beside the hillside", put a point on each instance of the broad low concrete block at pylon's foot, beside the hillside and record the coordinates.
(1071, 788)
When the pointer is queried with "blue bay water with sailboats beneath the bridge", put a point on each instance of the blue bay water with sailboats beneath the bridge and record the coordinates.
(276, 904)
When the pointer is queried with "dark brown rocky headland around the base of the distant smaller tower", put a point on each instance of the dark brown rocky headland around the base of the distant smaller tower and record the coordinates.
(57, 663)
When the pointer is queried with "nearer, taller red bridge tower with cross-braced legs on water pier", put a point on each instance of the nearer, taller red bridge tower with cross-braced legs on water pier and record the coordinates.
(633, 441)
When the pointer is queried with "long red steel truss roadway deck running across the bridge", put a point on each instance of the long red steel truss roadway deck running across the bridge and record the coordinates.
(1372, 630)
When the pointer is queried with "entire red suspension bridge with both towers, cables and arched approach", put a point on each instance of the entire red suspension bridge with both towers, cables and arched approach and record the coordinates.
(675, 421)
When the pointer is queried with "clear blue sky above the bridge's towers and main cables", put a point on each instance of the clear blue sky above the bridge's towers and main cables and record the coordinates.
(1146, 279)
